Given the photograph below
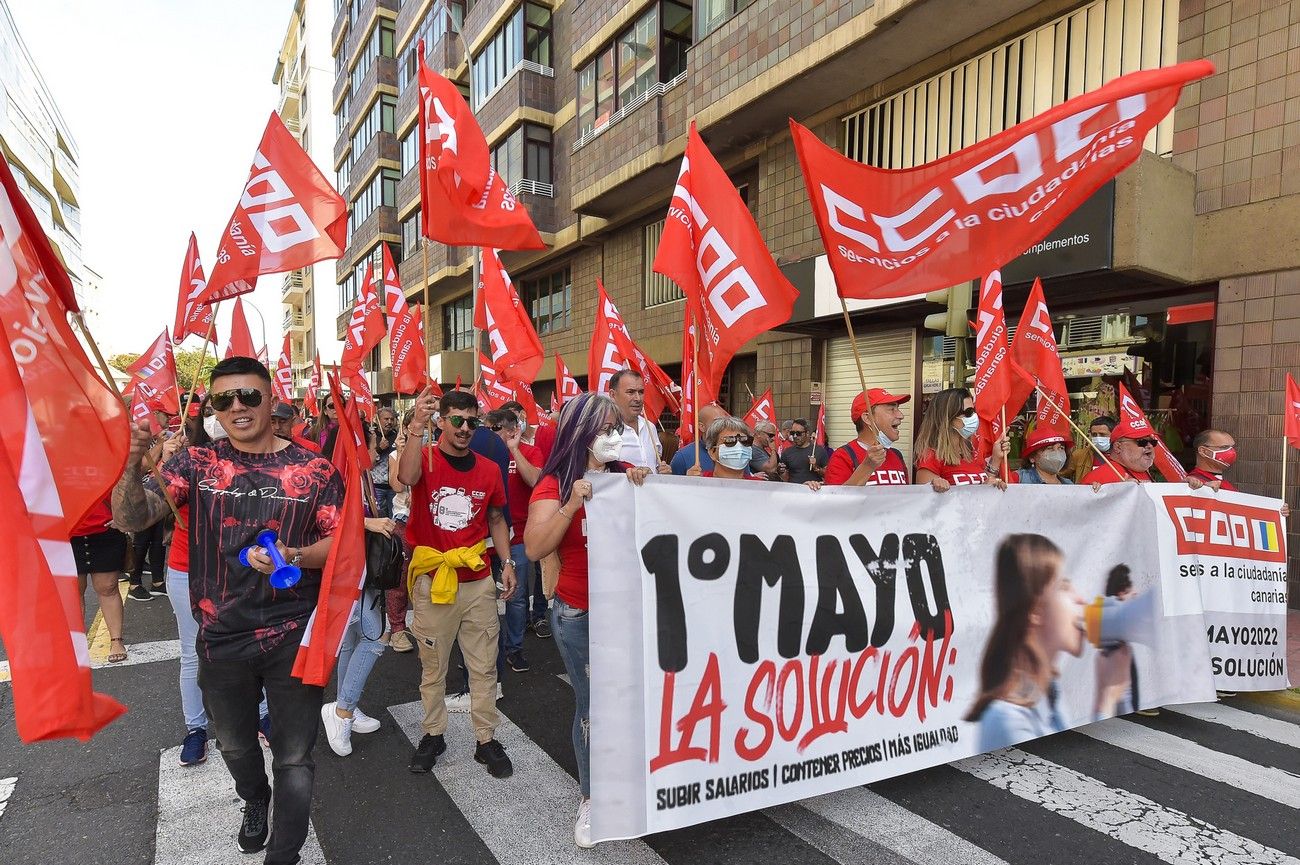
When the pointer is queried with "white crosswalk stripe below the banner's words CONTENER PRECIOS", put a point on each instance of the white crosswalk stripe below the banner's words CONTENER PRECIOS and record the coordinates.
(878, 820)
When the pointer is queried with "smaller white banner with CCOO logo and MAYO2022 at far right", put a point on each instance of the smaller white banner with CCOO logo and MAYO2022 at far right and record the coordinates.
(1234, 547)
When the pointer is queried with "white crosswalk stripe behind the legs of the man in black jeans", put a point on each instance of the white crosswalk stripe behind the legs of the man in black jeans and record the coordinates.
(200, 815)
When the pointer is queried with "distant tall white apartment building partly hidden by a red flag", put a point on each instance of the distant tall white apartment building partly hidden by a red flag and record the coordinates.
(305, 73)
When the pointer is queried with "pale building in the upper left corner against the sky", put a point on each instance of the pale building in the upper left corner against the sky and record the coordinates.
(41, 150)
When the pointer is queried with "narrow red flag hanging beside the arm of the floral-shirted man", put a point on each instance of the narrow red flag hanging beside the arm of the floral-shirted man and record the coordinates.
(344, 574)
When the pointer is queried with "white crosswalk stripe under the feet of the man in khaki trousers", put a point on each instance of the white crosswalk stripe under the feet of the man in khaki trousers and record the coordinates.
(540, 789)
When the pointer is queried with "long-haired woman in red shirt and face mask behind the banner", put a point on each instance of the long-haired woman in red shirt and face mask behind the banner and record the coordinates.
(944, 443)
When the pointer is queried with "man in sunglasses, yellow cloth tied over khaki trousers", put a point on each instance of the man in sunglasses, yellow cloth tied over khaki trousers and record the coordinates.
(457, 501)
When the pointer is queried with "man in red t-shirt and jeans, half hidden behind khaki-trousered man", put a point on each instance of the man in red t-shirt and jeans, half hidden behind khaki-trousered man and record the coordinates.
(526, 465)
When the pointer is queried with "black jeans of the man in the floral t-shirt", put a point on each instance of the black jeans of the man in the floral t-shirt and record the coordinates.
(232, 691)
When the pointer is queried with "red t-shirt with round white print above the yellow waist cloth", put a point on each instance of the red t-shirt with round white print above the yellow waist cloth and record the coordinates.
(449, 505)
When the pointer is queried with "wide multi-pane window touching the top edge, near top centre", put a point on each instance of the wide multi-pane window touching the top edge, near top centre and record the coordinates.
(652, 51)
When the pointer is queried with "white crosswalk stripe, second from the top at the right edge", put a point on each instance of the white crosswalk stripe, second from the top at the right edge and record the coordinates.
(1228, 769)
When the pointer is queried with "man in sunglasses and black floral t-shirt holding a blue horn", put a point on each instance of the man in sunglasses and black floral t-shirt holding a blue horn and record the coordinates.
(249, 633)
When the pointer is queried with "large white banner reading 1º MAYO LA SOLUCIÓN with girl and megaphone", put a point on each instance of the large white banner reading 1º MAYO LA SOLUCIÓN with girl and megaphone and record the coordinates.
(766, 643)
